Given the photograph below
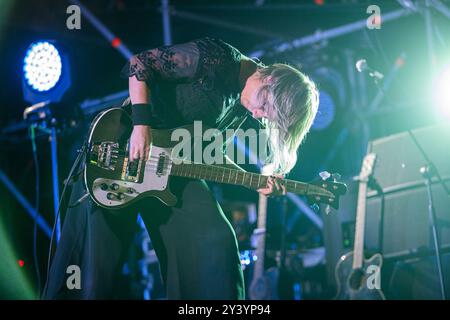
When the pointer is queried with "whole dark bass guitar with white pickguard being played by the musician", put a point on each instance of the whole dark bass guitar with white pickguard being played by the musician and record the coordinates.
(114, 182)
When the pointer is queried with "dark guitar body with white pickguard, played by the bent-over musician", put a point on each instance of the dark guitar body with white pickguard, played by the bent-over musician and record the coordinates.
(114, 126)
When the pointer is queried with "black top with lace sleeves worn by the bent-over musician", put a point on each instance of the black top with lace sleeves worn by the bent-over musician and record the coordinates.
(197, 80)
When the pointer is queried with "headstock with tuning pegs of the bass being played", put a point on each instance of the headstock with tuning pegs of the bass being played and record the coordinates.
(328, 191)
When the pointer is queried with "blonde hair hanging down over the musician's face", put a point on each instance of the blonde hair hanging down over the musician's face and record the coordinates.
(295, 100)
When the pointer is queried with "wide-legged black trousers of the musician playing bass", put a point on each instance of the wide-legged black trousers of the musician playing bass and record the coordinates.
(195, 245)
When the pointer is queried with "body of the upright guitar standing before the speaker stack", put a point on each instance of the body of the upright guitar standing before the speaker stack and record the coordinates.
(352, 283)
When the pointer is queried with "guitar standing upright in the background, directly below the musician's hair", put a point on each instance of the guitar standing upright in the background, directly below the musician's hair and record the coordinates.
(264, 285)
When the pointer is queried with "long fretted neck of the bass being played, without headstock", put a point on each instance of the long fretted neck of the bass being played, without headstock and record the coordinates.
(238, 177)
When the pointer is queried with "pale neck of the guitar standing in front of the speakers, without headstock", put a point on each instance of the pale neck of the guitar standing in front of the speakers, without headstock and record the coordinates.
(358, 250)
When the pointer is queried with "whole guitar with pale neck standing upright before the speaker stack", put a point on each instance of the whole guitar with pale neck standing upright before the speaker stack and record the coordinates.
(354, 274)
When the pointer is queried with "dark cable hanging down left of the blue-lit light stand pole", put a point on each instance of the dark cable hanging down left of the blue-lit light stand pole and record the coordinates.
(36, 166)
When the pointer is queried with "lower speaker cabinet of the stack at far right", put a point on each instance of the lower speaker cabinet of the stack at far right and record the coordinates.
(406, 226)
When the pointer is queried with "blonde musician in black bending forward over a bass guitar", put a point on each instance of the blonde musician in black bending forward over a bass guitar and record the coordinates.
(207, 80)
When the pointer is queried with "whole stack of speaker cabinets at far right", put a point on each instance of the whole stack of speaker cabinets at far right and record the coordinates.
(405, 218)
